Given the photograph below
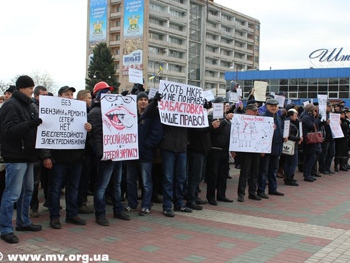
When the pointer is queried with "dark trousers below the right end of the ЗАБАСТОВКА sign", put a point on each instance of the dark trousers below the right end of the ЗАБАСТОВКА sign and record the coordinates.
(196, 169)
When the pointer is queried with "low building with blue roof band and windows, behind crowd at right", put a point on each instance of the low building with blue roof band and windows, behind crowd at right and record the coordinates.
(297, 83)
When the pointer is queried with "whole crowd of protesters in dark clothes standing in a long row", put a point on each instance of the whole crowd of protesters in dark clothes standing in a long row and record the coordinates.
(173, 161)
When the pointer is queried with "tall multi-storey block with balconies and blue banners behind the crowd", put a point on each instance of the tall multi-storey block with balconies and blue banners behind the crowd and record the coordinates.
(186, 41)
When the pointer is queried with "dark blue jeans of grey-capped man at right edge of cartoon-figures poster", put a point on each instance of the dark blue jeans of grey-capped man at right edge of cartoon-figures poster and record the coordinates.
(268, 169)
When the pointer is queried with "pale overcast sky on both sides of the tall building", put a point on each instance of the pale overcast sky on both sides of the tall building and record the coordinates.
(50, 35)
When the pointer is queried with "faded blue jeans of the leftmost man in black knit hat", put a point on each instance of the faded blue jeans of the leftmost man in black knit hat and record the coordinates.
(19, 188)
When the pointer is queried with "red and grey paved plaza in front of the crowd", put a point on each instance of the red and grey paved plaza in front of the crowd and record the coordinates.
(309, 224)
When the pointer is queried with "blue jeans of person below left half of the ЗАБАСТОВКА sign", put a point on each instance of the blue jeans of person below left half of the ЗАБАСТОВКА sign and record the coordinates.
(174, 178)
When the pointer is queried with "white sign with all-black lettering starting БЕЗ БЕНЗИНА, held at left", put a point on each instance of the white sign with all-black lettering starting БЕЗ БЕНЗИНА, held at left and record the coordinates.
(63, 123)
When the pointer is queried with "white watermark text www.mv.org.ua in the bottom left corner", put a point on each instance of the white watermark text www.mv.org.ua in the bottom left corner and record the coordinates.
(82, 258)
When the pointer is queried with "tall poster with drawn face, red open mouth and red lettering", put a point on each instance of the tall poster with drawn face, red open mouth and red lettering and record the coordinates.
(119, 119)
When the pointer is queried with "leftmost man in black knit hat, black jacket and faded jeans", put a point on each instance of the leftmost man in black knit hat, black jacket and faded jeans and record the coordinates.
(19, 122)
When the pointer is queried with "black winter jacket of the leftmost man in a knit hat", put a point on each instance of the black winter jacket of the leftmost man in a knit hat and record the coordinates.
(18, 131)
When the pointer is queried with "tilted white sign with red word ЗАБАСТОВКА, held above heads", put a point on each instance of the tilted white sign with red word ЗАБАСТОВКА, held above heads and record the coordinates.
(182, 105)
